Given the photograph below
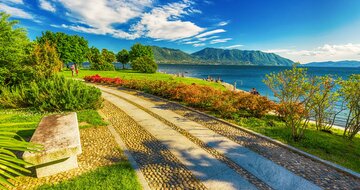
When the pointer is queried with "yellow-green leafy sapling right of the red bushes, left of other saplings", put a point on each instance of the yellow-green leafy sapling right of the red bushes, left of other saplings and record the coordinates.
(294, 90)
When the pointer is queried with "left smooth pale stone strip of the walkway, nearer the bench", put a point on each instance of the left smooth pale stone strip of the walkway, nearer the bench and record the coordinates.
(212, 173)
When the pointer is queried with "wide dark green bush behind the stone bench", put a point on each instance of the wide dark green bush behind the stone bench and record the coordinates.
(53, 94)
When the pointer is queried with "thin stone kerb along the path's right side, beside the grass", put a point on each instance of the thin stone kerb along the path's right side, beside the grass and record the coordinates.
(291, 148)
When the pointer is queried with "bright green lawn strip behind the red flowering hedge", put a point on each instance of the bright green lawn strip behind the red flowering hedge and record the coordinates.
(130, 74)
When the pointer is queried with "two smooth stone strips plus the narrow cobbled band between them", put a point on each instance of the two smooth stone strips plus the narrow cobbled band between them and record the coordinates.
(217, 161)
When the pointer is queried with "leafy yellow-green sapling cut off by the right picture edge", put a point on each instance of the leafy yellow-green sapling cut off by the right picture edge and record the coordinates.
(350, 90)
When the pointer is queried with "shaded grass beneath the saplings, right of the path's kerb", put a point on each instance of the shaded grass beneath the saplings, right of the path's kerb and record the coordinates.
(332, 147)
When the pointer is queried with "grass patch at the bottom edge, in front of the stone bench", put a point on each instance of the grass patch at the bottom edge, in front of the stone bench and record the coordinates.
(118, 176)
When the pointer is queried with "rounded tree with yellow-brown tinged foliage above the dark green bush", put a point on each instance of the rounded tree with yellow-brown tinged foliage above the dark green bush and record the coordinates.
(45, 60)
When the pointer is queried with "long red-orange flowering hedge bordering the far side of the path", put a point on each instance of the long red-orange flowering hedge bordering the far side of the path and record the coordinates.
(226, 103)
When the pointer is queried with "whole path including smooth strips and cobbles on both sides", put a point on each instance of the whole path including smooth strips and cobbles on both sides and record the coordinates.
(203, 149)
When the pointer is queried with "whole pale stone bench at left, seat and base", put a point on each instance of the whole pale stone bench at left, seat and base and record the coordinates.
(60, 137)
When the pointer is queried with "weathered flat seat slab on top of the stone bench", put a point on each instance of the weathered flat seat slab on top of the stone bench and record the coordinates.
(59, 134)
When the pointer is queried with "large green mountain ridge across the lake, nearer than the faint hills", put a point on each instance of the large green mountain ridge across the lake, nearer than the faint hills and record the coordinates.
(219, 57)
